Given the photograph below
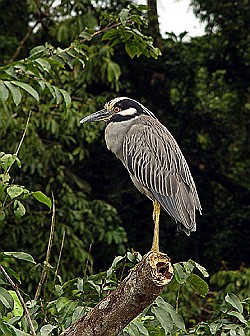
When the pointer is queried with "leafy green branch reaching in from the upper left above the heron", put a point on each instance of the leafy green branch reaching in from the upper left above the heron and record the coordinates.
(47, 59)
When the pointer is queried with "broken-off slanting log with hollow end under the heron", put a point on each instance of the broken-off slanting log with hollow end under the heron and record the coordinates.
(137, 291)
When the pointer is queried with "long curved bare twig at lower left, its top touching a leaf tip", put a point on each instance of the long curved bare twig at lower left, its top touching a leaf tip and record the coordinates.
(46, 263)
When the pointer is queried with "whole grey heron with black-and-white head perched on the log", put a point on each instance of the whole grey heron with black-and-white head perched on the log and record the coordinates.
(153, 160)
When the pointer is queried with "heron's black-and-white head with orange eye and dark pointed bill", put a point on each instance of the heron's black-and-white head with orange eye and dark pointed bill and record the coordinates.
(118, 109)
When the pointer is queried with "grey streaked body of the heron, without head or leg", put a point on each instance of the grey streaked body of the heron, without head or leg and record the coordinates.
(156, 166)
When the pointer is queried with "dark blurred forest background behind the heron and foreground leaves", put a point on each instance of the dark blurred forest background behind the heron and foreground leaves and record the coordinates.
(198, 88)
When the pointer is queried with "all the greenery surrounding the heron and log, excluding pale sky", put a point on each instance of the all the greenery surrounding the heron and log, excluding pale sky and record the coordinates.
(198, 87)
